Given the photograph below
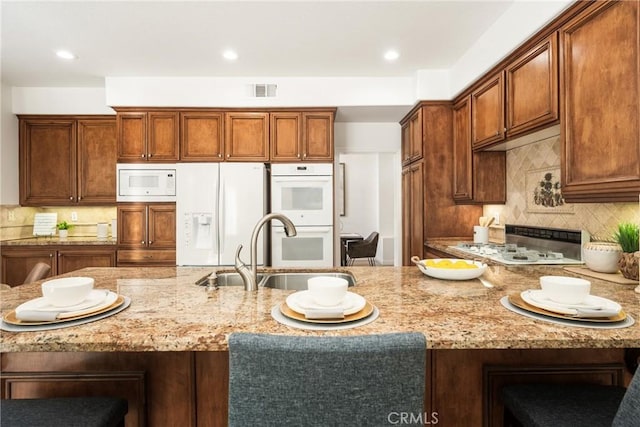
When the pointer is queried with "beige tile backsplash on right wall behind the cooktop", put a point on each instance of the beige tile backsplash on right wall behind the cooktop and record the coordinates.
(528, 164)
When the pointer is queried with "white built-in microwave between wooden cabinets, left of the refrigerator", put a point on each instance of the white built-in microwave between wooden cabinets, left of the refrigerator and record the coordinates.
(146, 182)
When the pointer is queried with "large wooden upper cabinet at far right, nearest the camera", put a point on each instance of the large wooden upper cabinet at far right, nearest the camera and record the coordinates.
(600, 123)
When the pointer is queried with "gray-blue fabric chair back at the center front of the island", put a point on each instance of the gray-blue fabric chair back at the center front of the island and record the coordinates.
(322, 381)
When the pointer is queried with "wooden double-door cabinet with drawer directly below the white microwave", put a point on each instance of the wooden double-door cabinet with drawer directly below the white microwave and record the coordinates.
(146, 233)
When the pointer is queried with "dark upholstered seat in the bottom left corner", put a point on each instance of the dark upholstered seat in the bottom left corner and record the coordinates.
(64, 411)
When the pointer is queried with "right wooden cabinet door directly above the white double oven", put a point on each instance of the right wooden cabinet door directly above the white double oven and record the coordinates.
(317, 136)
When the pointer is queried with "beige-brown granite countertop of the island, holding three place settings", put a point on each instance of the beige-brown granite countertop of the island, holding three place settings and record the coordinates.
(170, 313)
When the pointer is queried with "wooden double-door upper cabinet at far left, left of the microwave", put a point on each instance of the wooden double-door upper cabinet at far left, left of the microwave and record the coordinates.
(67, 160)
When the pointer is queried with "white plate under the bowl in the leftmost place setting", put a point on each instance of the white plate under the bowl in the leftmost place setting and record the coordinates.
(36, 308)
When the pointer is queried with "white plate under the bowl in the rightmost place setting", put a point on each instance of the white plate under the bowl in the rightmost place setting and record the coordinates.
(593, 306)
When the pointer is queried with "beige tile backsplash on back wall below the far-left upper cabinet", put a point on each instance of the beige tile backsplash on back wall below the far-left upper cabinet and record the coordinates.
(16, 222)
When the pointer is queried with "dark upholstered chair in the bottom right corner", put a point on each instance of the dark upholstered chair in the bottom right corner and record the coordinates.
(537, 405)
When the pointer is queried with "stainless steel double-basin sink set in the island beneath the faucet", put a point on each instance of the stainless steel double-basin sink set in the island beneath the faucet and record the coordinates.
(284, 280)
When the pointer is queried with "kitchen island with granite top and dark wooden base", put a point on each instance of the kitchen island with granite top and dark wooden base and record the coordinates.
(168, 349)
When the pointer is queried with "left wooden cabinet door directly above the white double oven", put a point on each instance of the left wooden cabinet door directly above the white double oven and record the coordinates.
(286, 136)
